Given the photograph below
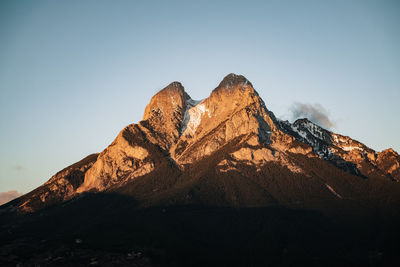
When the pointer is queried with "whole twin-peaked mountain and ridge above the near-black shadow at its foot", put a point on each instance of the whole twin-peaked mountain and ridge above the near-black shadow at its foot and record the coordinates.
(227, 149)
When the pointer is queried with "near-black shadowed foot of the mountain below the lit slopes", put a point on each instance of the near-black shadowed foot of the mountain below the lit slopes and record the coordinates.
(195, 235)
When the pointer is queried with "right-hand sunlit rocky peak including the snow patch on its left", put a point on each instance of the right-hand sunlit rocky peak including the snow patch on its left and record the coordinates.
(233, 109)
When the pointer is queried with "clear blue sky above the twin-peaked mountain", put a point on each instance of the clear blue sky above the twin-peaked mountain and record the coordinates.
(74, 73)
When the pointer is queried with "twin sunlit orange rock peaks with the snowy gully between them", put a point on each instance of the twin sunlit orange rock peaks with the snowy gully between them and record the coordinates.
(185, 130)
